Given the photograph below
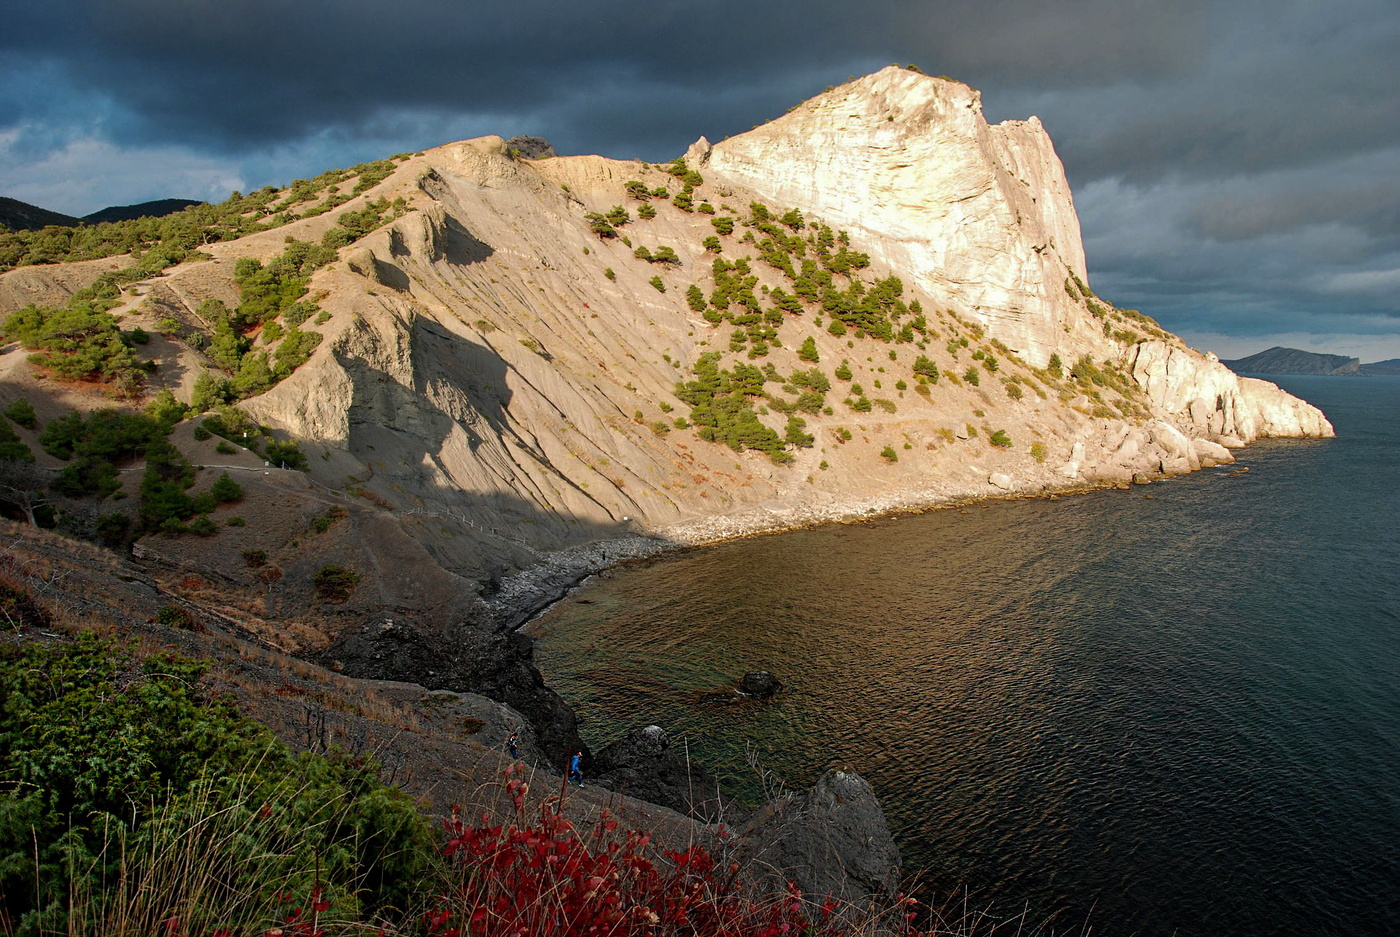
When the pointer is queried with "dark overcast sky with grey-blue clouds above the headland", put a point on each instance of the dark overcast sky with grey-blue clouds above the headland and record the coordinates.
(1235, 163)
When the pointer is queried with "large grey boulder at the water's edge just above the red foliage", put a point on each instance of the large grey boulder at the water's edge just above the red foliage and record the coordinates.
(831, 841)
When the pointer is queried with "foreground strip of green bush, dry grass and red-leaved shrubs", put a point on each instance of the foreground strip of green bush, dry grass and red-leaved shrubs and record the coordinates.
(134, 802)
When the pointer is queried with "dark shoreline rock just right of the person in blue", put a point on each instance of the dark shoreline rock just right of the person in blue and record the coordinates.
(643, 764)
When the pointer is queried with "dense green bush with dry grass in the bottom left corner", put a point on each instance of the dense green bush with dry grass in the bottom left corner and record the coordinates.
(110, 765)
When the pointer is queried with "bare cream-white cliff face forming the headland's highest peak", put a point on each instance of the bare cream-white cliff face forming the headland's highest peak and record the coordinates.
(981, 218)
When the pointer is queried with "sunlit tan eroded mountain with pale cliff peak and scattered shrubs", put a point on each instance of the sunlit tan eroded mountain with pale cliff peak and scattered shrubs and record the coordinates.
(874, 302)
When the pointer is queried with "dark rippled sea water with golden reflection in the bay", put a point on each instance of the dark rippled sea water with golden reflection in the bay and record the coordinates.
(1161, 715)
